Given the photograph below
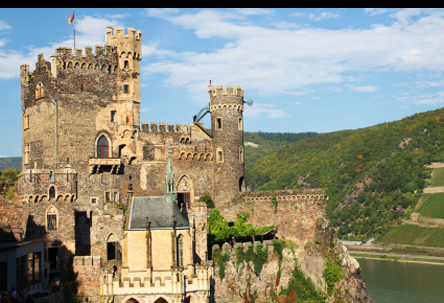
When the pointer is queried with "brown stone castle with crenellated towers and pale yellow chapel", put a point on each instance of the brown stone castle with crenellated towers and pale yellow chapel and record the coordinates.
(116, 201)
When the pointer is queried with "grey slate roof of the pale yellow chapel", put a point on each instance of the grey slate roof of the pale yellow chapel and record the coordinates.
(159, 212)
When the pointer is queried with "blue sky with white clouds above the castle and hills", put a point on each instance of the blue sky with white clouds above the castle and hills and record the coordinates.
(317, 70)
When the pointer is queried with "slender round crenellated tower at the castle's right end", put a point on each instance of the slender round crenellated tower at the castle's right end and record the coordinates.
(226, 109)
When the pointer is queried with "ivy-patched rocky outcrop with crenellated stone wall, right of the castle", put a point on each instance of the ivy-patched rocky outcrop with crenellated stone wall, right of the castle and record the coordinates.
(306, 263)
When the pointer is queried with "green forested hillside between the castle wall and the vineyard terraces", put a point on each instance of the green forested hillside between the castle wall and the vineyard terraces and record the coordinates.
(373, 176)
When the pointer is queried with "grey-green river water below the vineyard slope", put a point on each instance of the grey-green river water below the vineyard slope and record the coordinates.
(402, 282)
